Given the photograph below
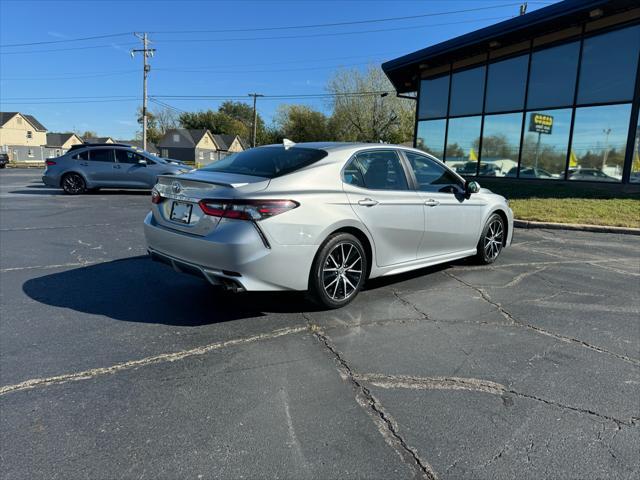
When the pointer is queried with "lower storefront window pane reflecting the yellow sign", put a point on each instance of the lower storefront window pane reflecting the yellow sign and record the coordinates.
(544, 148)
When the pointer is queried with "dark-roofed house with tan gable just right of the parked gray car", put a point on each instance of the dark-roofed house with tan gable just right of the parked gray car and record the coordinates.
(190, 145)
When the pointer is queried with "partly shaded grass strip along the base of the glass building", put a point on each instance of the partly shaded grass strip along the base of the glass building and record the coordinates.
(611, 205)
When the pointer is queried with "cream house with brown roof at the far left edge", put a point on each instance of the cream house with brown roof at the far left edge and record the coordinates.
(22, 136)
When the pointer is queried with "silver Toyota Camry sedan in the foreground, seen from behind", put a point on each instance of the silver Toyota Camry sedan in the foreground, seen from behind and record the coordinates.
(322, 217)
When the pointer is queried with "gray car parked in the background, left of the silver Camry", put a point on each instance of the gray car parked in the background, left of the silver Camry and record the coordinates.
(90, 167)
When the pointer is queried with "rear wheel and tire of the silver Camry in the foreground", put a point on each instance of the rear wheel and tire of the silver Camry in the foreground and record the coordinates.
(338, 271)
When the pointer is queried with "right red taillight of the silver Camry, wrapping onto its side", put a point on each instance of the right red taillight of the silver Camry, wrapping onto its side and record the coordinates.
(246, 209)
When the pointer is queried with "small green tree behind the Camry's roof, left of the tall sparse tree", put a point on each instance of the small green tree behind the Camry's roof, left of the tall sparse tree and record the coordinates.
(301, 123)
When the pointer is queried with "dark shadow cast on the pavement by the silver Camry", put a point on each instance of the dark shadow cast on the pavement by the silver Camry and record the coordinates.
(136, 289)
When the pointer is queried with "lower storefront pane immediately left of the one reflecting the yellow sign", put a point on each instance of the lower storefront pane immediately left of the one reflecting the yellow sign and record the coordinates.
(500, 144)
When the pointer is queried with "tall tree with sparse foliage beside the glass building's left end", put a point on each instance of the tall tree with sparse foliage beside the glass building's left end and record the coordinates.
(368, 117)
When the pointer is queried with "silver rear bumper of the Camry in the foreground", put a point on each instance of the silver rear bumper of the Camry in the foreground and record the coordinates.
(234, 254)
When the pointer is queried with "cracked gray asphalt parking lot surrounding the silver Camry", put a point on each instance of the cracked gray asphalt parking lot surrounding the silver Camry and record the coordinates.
(116, 367)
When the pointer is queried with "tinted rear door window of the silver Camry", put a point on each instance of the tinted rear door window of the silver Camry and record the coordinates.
(376, 170)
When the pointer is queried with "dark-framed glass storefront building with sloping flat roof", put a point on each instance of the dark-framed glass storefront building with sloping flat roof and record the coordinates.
(552, 95)
